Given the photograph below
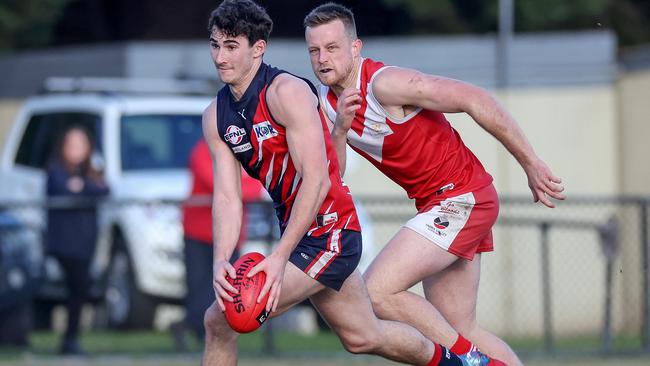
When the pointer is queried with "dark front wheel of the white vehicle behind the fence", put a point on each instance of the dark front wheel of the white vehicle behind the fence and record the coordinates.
(126, 306)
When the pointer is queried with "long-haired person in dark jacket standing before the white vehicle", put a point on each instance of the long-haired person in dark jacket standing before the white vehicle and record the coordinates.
(73, 185)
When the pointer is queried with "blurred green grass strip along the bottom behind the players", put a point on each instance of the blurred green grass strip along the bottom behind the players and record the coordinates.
(153, 348)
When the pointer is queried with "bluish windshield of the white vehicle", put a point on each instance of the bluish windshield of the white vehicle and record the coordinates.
(158, 141)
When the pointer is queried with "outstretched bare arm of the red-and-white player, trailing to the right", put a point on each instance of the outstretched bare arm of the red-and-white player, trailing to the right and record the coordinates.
(399, 90)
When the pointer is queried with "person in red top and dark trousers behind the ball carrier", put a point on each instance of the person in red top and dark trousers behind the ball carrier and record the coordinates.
(197, 227)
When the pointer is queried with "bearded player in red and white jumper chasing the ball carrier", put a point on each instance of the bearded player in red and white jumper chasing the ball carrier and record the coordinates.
(394, 118)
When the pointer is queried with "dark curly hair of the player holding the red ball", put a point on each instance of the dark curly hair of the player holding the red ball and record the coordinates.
(241, 17)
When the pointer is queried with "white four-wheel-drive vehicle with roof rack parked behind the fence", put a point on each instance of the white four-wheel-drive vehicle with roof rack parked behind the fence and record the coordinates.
(144, 132)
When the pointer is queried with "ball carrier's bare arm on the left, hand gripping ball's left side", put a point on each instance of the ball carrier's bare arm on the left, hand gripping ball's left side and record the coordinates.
(226, 206)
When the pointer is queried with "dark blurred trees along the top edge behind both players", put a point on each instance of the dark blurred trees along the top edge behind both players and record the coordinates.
(36, 23)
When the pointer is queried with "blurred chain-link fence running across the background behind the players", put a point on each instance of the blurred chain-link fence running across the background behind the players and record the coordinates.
(574, 278)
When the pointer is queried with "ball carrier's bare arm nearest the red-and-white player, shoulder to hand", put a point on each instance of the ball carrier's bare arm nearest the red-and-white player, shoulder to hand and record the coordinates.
(294, 106)
